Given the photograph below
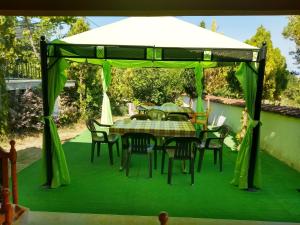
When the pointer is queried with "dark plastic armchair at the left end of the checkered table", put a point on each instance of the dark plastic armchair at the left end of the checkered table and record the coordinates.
(100, 136)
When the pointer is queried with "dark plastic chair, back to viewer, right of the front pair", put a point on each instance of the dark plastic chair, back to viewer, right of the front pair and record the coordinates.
(179, 148)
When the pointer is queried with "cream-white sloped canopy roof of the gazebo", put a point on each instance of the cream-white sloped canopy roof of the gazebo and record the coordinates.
(158, 32)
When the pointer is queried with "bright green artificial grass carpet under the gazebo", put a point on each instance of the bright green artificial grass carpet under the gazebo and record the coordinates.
(100, 188)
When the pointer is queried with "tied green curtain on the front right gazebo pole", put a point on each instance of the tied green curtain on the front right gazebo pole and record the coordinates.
(247, 76)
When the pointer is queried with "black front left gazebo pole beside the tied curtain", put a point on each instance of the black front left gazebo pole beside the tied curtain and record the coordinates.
(47, 134)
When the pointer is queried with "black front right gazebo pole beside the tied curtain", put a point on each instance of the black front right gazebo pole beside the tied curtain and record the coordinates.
(257, 109)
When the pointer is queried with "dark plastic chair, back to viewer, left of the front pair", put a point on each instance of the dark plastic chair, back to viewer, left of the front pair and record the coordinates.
(138, 143)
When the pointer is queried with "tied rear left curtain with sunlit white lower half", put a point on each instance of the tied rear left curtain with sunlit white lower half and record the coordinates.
(106, 116)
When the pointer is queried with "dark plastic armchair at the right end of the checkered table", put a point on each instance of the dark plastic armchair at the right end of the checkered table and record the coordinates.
(209, 141)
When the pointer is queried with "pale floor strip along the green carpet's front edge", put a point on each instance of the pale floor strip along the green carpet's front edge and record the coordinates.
(53, 218)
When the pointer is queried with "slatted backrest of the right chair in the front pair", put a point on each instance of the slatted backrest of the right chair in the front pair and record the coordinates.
(182, 146)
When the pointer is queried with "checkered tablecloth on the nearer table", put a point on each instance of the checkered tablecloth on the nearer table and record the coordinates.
(157, 128)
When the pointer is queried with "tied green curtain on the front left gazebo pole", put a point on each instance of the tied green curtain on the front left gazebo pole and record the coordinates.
(56, 83)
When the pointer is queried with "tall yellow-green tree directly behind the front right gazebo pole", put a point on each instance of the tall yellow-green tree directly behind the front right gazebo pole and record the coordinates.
(276, 73)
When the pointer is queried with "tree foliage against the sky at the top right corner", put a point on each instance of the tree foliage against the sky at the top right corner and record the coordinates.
(292, 32)
